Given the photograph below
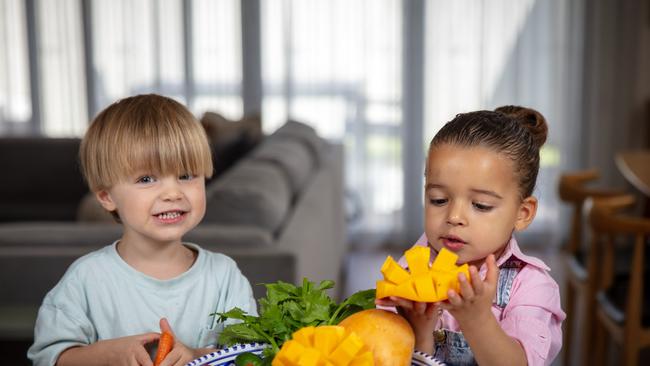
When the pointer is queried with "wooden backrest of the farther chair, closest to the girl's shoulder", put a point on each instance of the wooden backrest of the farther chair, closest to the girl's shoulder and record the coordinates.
(572, 189)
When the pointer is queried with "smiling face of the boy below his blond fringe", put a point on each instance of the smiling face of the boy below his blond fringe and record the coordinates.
(156, 209)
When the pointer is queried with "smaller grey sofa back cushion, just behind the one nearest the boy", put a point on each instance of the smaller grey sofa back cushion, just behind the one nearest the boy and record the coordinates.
(293, 157)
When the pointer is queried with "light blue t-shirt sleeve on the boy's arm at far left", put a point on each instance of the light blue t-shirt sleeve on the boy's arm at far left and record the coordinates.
(60, 324)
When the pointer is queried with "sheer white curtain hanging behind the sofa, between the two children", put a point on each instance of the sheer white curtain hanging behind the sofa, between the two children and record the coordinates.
(336, 65)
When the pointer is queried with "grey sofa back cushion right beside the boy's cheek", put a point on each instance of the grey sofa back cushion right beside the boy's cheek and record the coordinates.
(253, 192)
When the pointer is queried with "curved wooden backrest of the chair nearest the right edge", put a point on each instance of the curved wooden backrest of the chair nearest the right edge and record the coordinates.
(609, 223)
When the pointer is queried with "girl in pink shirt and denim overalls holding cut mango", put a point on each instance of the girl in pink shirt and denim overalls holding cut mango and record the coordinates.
(480, 176)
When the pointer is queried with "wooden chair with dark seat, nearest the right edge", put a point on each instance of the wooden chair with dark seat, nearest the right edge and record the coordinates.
(623, 306)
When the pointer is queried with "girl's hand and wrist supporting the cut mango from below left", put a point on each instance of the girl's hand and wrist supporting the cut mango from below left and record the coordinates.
(421, 315)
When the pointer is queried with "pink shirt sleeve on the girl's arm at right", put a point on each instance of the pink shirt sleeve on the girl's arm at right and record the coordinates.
(534, 316)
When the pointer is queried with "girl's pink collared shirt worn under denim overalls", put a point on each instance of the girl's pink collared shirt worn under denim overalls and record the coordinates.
(533, 316)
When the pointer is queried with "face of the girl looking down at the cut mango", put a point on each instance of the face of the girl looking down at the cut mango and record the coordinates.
(472, 202)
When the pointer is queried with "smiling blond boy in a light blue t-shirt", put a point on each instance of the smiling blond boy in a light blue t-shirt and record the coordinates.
(146, 159)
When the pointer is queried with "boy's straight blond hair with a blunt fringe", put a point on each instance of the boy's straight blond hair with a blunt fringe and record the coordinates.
(148, 133)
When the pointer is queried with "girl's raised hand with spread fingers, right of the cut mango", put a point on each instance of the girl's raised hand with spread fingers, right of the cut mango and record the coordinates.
(474, 303)
